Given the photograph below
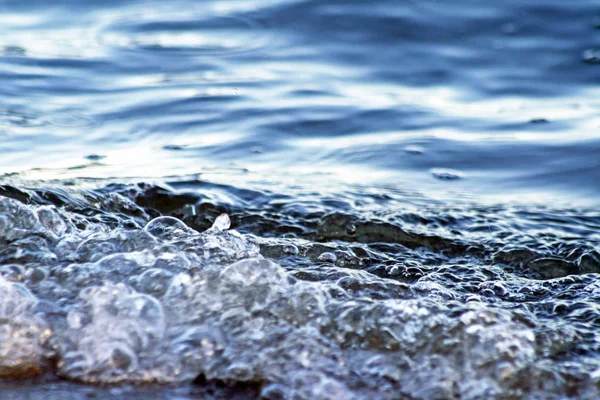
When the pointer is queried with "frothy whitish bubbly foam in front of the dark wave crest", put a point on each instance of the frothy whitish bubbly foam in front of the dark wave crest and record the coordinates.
(157, 301)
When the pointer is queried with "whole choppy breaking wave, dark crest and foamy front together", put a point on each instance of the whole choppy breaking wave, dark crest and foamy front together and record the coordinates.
(308, 298)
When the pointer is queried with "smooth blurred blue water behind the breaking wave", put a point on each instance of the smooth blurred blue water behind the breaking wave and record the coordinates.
(476, 97)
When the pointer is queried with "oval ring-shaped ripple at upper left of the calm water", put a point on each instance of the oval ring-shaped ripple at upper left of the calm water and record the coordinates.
(194, 32)
